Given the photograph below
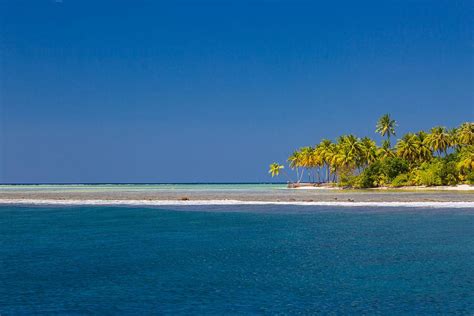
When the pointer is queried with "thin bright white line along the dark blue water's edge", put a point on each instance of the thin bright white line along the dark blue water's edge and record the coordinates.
(424, 204)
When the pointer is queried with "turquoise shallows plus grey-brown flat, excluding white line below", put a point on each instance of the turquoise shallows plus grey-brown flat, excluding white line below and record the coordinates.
(241, 192)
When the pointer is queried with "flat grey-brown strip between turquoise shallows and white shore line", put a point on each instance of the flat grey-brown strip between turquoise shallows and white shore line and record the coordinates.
(266, 195)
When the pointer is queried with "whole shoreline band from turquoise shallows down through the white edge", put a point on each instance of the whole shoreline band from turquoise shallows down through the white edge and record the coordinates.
(224, 195)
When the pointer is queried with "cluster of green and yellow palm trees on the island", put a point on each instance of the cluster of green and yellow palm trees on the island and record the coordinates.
(442, 157)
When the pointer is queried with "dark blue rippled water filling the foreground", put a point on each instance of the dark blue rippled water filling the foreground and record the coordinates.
(257, 260)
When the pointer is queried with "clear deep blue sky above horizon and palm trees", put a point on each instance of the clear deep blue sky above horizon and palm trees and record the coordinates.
(214, 91)
